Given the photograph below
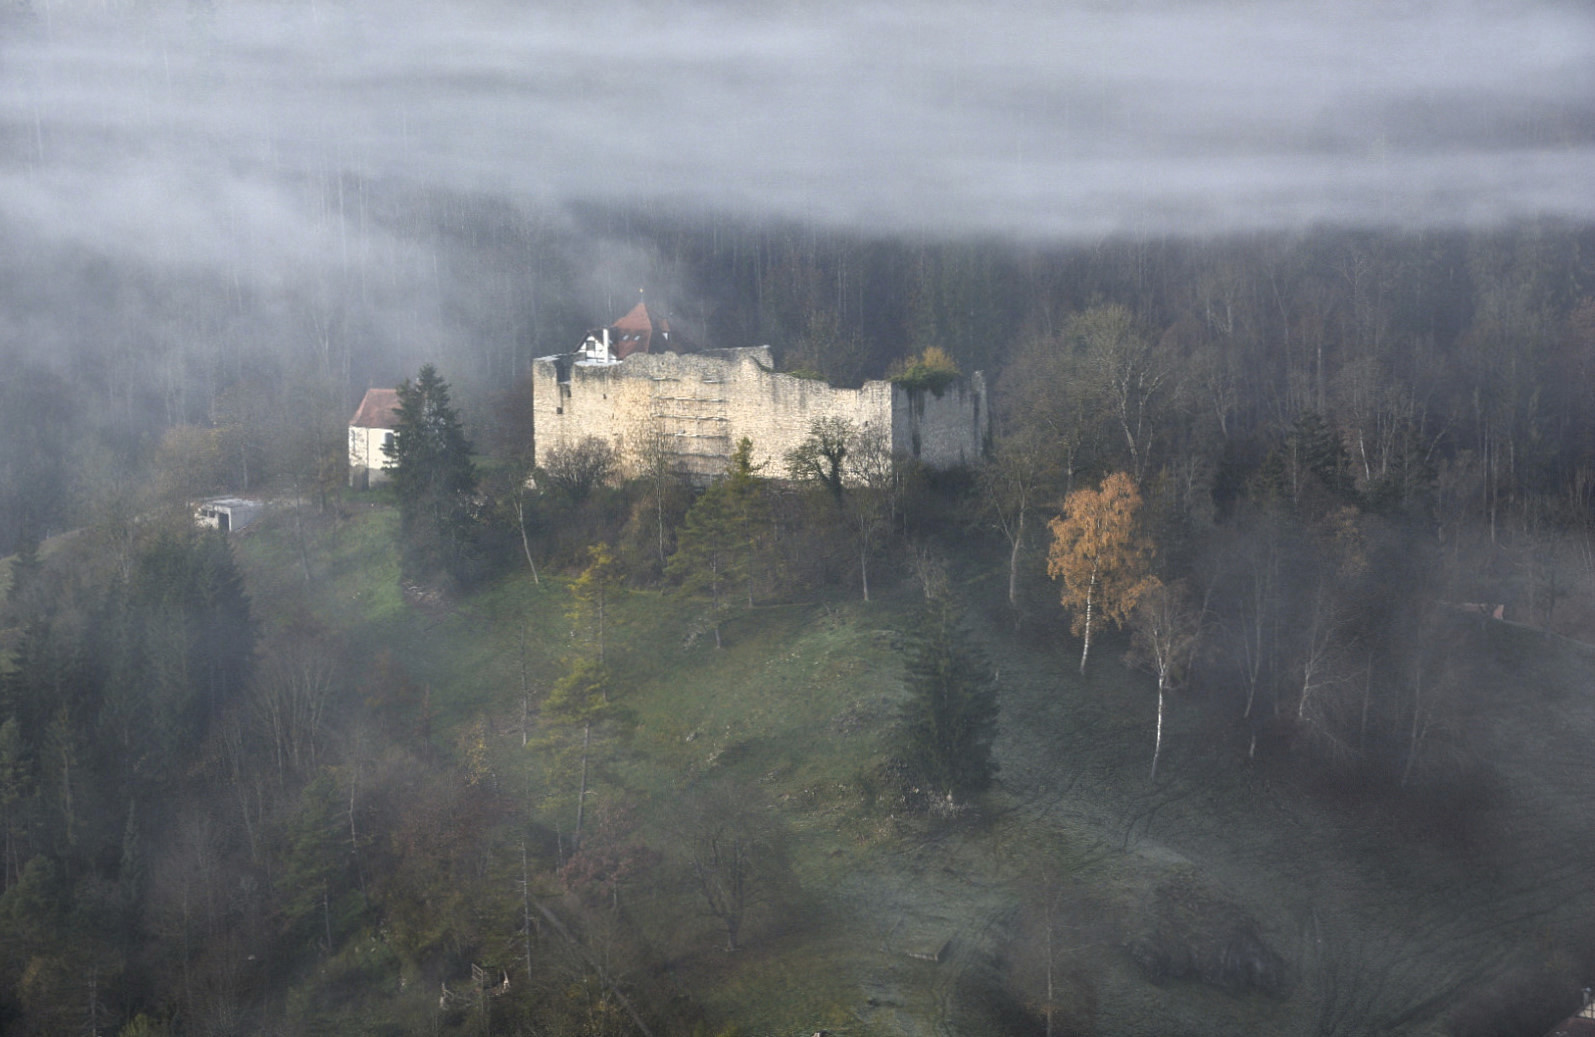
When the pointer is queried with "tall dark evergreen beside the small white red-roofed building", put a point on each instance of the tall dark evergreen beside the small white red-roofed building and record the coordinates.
(435, 479)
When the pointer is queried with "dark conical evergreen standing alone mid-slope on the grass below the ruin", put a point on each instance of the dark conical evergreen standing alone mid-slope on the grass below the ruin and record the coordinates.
(951, 714)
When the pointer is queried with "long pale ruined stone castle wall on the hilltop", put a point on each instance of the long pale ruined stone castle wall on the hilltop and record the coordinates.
(698, 406)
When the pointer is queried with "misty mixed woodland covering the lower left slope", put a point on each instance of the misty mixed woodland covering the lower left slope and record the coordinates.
(218, 822)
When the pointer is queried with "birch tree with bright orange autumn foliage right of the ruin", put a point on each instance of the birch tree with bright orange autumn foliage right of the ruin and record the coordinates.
(1101, 558)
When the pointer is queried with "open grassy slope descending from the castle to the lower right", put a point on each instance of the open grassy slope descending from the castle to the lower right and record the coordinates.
(1387, 918)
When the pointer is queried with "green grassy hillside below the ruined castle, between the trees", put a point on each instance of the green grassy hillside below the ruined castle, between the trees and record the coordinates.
(1261, 901)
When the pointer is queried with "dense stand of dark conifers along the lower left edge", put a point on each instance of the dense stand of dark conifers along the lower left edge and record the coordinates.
(128, 652)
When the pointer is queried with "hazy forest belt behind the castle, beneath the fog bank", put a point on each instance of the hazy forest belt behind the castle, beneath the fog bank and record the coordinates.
(1473, 339)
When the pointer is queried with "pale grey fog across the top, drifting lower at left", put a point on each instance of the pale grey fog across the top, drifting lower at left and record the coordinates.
(192, 181)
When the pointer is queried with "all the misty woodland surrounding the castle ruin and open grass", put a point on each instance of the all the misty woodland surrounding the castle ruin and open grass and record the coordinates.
(219, 819)
